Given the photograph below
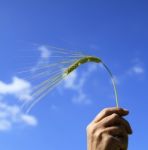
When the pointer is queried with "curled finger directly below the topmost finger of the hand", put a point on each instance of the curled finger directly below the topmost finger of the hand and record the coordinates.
(115, 120)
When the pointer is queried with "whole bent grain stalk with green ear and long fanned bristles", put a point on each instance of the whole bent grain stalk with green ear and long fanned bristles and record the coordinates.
(53, 73)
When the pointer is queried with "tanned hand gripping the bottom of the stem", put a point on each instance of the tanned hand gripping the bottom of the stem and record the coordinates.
(109, 130)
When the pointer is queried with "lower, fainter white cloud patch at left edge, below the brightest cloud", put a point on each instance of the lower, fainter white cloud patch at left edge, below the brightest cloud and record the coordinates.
(11, 115)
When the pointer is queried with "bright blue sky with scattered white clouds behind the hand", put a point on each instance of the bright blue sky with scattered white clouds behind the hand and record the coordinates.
(114, 30)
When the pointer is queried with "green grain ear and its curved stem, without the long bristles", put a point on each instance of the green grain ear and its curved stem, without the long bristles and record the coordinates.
(86, 59)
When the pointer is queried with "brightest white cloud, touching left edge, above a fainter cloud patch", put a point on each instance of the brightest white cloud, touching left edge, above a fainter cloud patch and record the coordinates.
(19, 88)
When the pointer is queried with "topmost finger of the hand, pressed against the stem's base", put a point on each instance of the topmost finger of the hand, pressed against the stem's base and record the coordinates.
(109, 111)
